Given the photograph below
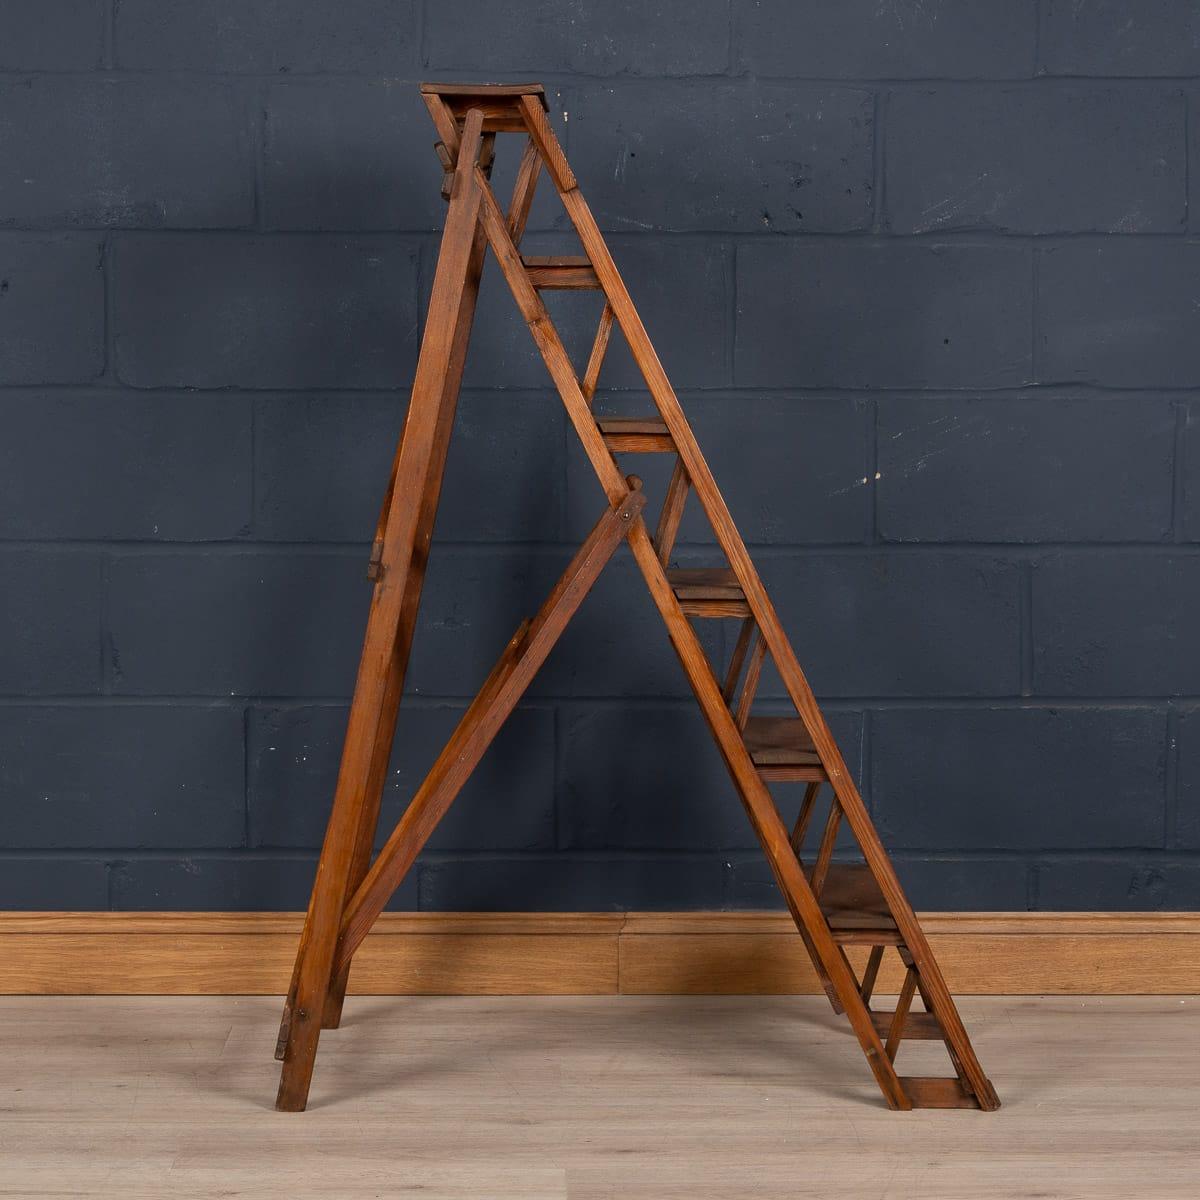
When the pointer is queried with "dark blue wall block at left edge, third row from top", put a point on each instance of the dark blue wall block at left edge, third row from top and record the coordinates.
(52, 309)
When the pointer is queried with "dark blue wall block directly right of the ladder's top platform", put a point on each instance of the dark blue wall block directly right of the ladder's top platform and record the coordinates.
(737, 158)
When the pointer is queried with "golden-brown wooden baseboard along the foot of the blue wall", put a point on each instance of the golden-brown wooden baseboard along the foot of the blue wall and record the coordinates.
(707, 953)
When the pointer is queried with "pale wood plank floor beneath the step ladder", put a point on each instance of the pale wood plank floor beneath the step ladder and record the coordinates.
(590, 1097)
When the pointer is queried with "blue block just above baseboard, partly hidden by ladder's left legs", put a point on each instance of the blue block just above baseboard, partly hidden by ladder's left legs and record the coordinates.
(224, 884)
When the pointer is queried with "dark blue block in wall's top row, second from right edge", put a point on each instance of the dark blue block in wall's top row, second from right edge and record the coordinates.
(866, 40)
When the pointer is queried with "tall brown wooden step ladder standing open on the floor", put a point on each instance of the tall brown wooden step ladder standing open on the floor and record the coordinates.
(835, 905)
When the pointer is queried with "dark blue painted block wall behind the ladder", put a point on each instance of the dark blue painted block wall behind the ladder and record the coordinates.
(927, 277)
